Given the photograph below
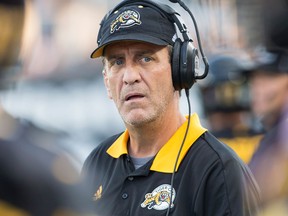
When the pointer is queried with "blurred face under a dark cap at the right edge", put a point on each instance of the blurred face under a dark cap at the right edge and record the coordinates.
(269, 93)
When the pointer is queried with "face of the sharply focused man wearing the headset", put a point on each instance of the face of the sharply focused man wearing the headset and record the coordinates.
(138, 78)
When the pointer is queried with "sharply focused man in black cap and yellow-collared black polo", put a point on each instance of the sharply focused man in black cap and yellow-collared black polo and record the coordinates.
(138, 172)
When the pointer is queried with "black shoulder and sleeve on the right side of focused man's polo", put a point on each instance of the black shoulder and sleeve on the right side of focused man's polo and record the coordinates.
(222, 170)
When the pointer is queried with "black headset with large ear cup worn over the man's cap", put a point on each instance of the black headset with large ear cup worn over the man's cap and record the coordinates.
(185, 60)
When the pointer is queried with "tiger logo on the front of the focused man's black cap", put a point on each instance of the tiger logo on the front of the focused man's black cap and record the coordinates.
(126, 19)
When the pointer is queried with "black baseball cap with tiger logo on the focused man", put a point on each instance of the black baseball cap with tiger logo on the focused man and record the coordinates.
(140, 22)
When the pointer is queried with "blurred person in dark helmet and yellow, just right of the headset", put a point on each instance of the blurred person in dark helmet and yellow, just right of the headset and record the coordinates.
(226, 104)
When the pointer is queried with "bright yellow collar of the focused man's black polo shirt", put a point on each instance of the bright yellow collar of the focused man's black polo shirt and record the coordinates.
(169, 150)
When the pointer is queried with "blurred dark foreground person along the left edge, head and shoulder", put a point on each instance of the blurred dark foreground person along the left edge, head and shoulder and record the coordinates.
(33, 181)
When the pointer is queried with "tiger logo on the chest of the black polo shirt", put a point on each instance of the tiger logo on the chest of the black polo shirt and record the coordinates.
(160, 198)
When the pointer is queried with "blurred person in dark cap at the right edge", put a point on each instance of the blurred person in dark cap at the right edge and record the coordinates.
(269, 94)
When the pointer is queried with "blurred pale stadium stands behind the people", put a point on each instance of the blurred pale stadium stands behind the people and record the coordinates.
(59, 98)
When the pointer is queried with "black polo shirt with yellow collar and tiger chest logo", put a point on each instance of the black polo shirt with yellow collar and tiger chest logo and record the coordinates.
(209, 180)
